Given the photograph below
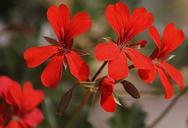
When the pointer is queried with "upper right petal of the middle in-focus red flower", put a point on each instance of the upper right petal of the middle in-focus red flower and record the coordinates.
(138, 22)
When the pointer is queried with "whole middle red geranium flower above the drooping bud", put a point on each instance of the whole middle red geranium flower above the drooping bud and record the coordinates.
(127, 26)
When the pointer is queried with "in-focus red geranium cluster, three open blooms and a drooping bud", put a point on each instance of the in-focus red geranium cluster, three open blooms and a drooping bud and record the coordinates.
(115, 53)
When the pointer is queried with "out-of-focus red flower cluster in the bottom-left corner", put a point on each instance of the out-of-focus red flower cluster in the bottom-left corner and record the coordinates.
(18, 106)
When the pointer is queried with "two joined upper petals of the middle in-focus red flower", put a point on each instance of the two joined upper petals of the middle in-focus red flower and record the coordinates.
(125, 24)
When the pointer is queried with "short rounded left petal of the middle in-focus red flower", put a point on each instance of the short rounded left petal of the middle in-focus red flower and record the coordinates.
(106, 51)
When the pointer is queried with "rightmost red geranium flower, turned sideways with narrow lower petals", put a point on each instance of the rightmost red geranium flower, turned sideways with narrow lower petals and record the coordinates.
(171, 39)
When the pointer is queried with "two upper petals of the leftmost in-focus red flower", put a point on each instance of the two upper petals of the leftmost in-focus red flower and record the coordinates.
(65, 27)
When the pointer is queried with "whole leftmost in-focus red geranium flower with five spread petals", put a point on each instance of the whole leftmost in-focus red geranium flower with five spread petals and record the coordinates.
(61, 52)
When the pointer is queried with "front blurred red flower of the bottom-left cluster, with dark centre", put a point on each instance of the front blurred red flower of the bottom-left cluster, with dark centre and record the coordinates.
(23, 105)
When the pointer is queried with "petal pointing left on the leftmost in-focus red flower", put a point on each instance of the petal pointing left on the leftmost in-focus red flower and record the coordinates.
(37, 55)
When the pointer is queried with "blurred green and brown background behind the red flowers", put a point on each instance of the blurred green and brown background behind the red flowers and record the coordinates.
(23, 24)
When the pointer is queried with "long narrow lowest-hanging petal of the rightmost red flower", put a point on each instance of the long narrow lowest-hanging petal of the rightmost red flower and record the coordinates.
(166, 83)
